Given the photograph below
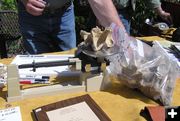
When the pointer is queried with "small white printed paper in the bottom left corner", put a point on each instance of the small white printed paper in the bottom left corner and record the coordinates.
(11, 114)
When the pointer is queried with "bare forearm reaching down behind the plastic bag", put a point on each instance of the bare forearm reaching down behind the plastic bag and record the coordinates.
(105, 12)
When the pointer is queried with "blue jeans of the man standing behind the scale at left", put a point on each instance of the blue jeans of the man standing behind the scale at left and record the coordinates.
(47, 32)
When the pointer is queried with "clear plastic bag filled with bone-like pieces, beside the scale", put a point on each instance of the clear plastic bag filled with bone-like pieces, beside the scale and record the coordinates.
(140, 66)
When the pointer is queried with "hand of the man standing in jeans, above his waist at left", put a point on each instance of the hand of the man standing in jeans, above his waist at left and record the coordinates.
(34, 7)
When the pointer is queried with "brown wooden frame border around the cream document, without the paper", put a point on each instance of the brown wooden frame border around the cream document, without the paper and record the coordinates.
(40, 113)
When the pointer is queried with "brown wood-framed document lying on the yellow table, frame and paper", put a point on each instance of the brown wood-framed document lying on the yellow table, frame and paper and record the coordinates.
(82, 108)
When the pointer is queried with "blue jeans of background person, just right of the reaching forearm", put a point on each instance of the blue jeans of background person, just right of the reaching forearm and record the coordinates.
(126, 19)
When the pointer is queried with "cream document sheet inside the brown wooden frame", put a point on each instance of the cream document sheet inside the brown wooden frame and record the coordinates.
(77, 112)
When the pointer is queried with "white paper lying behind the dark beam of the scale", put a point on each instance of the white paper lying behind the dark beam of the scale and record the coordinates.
(48, 71)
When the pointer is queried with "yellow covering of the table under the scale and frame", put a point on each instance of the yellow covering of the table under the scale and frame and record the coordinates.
(118, 102)
